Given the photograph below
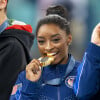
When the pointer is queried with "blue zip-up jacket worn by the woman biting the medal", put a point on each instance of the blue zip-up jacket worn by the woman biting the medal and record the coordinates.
(41, 90)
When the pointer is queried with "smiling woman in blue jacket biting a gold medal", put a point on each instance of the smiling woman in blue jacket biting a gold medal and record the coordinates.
(54, 81)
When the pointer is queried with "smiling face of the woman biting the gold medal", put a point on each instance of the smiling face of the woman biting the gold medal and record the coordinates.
(52, 39)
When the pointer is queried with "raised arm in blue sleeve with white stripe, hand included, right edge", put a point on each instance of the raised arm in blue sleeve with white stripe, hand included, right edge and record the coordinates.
(87, 82)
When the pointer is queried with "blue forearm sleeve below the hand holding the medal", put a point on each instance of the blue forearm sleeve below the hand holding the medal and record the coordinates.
(29, 90)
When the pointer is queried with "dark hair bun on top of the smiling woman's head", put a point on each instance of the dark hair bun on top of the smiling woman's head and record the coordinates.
(59, 10)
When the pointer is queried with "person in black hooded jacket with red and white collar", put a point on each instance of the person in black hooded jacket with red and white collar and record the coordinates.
(15, 43)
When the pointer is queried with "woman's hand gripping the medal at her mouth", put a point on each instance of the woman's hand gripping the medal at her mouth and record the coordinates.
(33, 70)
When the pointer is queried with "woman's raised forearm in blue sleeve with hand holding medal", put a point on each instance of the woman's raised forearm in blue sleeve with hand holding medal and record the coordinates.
(31, 82)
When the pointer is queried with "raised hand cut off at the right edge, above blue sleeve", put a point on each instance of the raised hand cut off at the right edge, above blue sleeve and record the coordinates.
(95, 38)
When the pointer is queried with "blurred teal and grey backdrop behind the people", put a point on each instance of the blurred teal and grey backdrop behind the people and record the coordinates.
(83, 14)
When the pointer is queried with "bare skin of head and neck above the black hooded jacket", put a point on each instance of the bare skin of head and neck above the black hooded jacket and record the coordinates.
(3, 16)
